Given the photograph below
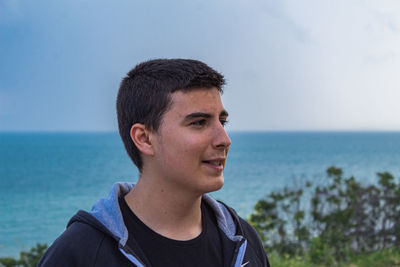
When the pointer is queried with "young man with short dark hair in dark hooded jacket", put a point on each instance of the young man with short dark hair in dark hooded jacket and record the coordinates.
(171, 120)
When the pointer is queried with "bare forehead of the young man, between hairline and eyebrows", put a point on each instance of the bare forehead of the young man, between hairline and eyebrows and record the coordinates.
(196, 100)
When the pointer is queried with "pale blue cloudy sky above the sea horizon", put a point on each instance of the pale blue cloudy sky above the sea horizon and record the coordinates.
(290, 65)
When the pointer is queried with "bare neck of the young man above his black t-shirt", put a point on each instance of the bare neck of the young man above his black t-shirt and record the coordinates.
(165, 210)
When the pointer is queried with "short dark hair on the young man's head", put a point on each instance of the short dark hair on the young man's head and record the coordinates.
(144, 94)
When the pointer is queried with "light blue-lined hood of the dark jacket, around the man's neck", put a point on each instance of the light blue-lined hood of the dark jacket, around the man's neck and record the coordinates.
(106, 216)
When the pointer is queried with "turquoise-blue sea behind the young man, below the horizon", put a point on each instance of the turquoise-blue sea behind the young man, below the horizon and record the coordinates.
(46, 177)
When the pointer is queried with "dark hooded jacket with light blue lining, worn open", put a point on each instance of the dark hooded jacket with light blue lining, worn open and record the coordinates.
(99, 237)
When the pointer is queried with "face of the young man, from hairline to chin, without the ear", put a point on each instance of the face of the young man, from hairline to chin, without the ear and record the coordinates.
(191, 143)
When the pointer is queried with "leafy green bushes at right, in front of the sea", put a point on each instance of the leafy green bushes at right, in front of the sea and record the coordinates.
(340, 223)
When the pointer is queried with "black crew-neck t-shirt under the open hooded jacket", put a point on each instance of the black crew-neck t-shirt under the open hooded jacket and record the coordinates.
(204, 250)
